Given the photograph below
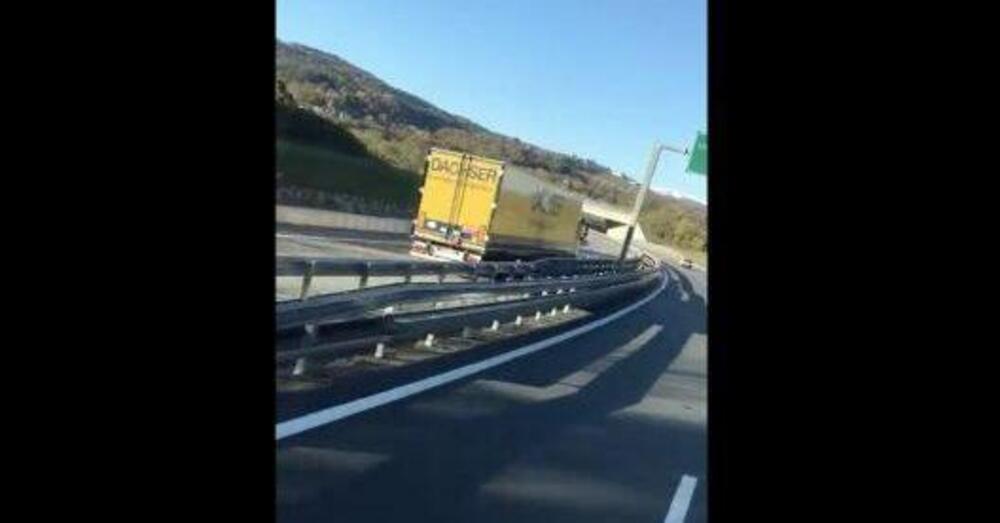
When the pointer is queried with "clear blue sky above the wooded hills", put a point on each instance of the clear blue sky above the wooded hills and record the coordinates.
(601, 79)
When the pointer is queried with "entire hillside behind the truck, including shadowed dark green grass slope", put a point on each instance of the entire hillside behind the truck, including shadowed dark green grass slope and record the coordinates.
(324, 102)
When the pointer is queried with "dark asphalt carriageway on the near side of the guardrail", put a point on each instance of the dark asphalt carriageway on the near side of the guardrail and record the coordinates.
(601, 427)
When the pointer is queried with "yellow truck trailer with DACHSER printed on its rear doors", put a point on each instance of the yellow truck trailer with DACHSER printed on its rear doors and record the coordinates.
(474, 208)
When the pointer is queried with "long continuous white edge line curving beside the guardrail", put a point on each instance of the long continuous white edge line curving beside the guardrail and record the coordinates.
(337, 412)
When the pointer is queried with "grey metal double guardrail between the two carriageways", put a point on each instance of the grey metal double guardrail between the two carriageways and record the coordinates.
(369, 318)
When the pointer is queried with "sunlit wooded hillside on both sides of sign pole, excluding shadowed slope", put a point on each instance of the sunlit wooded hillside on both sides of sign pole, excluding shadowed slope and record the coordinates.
(399, 128)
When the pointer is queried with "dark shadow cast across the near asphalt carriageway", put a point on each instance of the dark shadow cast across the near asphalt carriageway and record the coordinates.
(434, 467)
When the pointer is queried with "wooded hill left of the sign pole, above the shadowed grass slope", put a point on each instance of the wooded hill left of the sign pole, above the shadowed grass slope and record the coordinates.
(401, 127)
